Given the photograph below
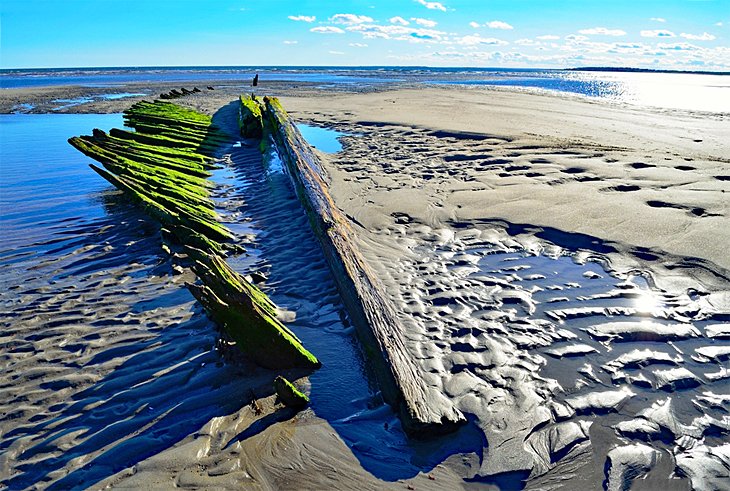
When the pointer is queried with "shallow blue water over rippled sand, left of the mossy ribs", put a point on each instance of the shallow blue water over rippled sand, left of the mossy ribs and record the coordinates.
(104, 352)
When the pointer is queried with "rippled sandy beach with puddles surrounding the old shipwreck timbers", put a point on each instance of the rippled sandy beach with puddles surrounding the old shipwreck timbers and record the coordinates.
(560, 264)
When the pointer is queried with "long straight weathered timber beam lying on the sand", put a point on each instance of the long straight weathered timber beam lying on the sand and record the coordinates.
(422, 410)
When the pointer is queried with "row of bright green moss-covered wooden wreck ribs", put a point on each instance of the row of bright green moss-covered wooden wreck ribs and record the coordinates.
(164, 167)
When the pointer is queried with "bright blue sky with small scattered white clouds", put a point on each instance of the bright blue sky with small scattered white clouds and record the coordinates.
(669, 34)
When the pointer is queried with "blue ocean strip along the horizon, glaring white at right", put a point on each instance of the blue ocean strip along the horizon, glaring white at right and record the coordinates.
(684, 91)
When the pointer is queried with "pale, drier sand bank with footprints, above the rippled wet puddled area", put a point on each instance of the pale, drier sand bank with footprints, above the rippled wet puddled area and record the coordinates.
(637, 178)
